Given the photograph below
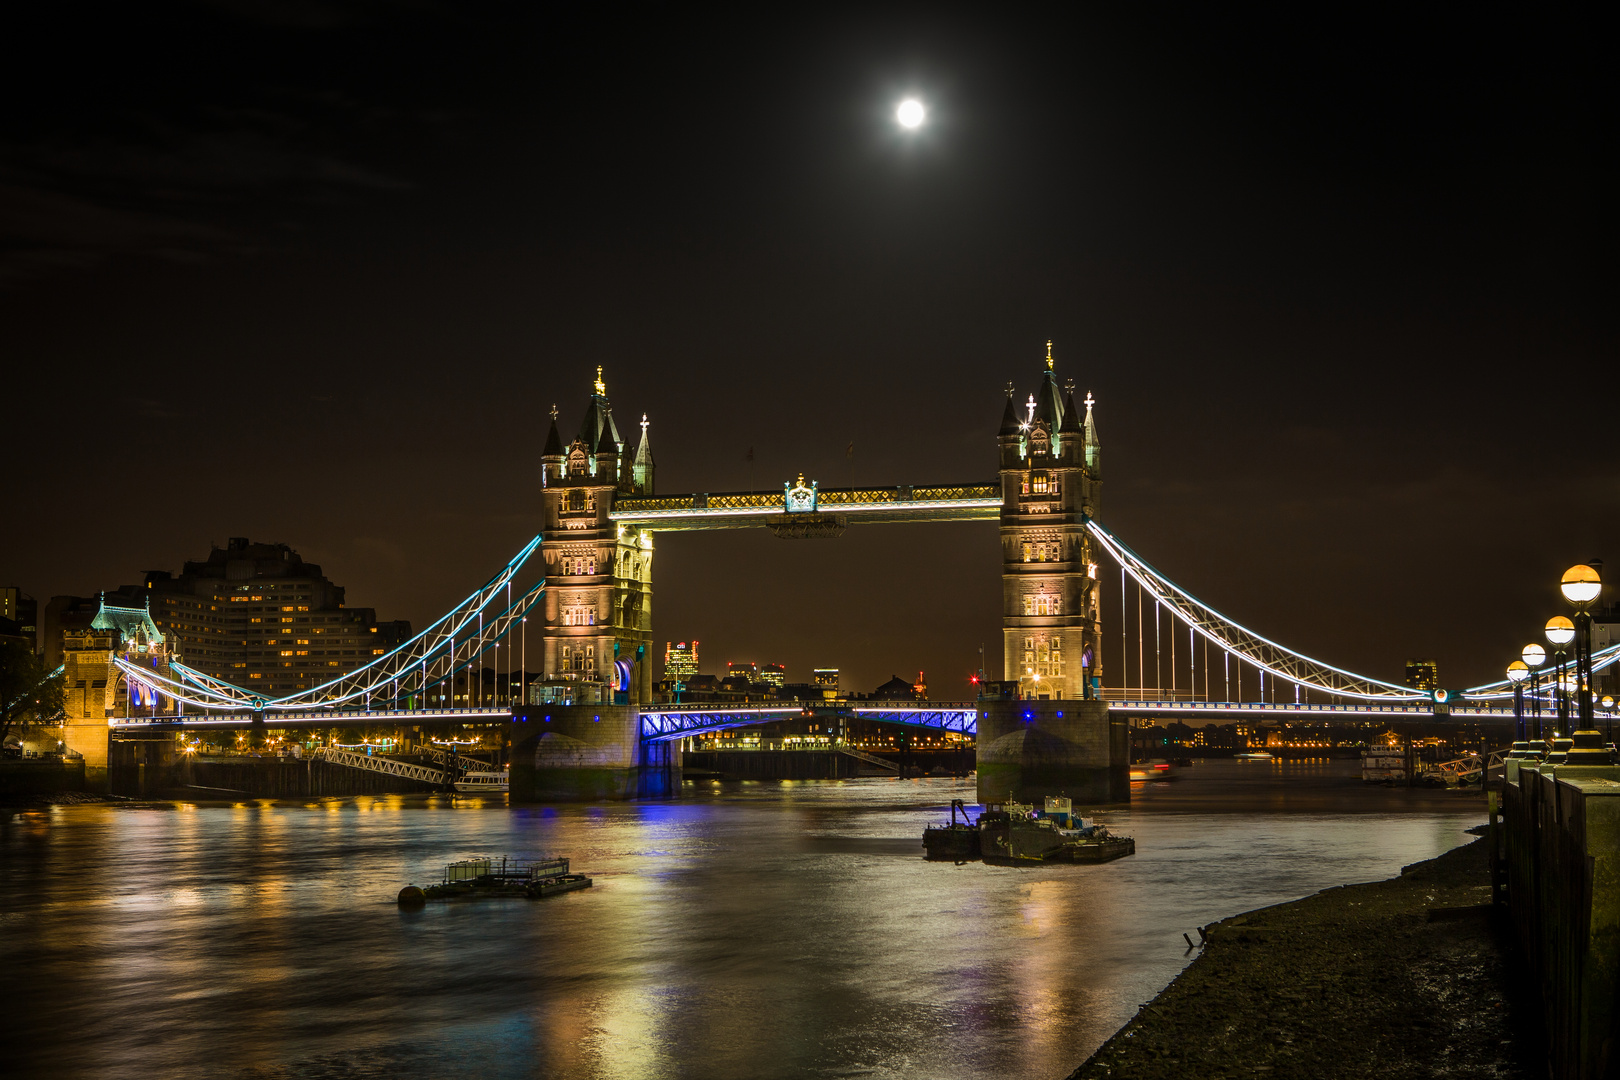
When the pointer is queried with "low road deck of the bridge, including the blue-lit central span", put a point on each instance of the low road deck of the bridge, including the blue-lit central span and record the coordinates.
(662, 723)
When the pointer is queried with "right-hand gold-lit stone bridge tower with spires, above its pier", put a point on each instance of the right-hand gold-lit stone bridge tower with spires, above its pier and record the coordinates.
(1051, 483)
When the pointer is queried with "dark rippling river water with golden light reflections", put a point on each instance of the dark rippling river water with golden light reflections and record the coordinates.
(748, 932)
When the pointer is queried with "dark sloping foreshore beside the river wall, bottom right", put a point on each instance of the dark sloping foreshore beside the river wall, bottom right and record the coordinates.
(1409, 977)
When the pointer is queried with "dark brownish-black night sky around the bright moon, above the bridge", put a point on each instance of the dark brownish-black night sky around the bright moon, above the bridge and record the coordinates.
(1342, 283)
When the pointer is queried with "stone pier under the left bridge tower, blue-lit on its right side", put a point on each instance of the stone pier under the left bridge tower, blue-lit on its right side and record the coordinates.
(589, 754)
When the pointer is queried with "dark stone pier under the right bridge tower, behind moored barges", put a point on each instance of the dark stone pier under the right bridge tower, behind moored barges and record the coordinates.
(1038, 749)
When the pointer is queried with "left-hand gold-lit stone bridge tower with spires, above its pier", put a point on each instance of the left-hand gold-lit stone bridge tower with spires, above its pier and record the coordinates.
(599, 611)
